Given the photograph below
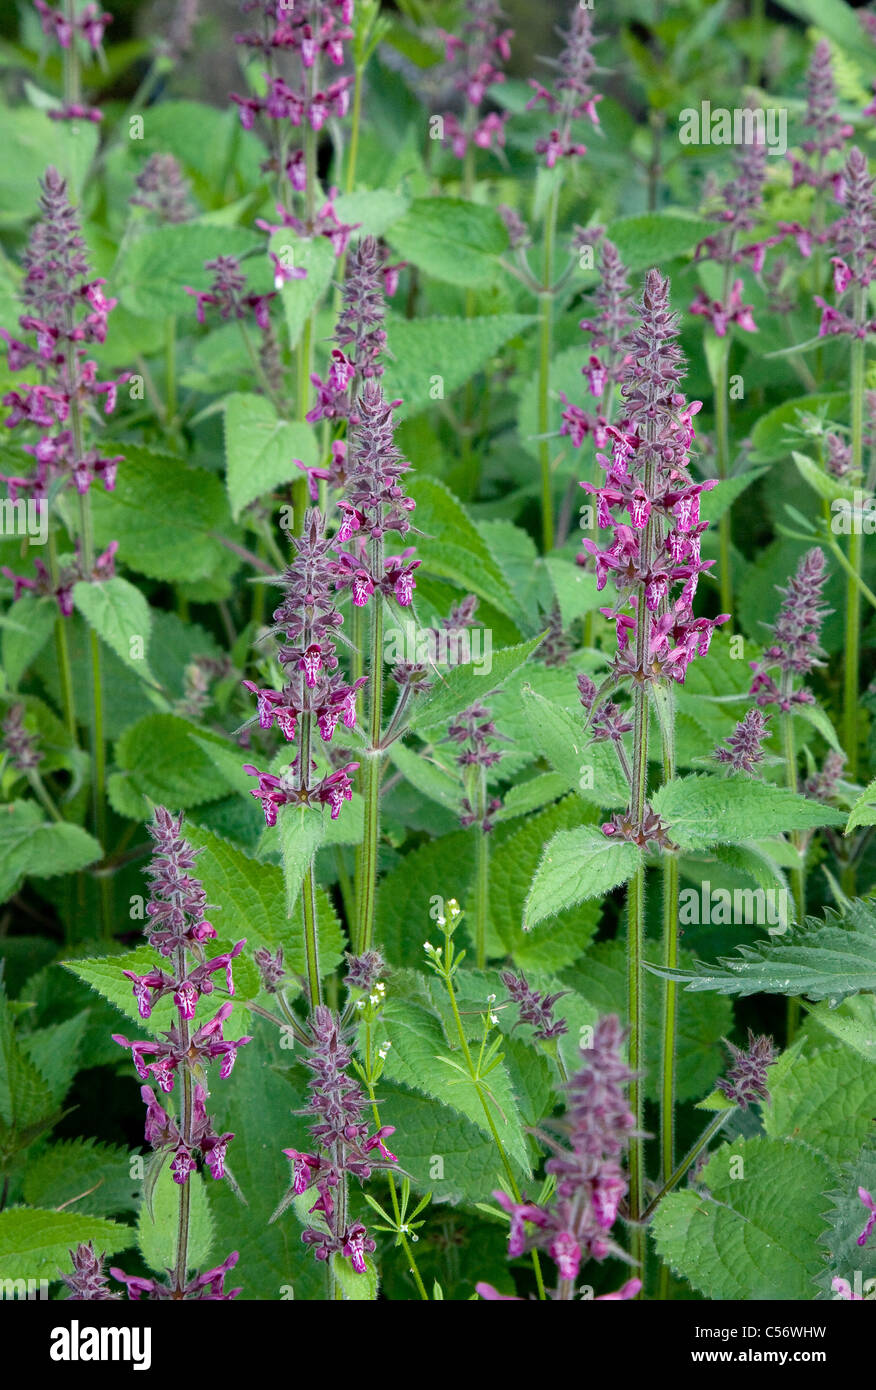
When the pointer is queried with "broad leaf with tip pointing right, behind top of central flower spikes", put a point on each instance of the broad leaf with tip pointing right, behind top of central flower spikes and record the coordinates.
(433, 358)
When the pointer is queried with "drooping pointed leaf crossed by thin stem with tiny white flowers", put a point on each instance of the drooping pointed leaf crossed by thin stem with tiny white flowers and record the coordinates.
(415, 1060)
